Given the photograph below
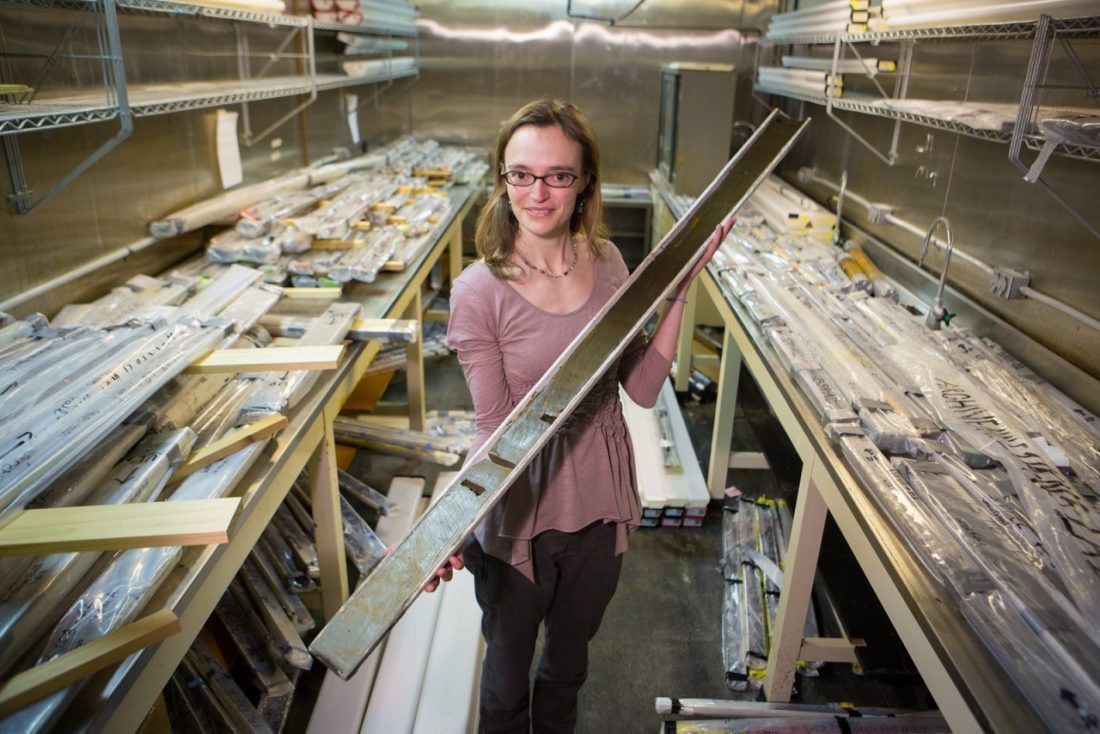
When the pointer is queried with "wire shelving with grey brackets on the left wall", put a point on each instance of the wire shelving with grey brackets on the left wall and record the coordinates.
(122, 102)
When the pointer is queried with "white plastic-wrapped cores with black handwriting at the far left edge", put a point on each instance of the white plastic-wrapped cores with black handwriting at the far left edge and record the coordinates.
(40, 444)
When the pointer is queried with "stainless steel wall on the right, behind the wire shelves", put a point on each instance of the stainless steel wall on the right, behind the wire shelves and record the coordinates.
(996, 216)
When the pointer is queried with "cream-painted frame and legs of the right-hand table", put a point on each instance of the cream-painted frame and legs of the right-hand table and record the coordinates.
(971, 688)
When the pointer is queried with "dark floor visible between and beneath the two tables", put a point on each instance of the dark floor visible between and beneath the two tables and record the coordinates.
(662, 636)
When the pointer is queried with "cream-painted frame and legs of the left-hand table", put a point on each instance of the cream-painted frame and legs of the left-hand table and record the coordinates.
(118, 700)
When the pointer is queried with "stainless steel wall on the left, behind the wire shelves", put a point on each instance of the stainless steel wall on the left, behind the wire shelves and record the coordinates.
(168, 163)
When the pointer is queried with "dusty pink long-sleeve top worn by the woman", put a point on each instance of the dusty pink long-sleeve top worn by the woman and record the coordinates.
(586, 473)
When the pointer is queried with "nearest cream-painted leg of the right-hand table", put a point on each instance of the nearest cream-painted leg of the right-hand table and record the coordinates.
(810, 513)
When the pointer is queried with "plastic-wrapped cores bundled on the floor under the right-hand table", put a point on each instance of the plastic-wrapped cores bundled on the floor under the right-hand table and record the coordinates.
(755, 534)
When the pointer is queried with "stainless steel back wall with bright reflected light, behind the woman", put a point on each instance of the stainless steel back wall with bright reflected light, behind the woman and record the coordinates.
(481, 61)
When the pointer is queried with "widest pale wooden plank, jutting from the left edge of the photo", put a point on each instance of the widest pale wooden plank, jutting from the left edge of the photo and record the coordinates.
(115, 528)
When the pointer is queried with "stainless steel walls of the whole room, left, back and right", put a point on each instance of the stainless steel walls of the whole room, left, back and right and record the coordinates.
(481, 60)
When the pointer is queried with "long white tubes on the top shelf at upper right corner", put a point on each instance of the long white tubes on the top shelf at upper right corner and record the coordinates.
(901, 15)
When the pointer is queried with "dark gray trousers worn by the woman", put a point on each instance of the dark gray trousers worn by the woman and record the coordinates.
(576, 578)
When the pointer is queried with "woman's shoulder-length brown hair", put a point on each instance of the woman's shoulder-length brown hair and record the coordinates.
(498, 227)
